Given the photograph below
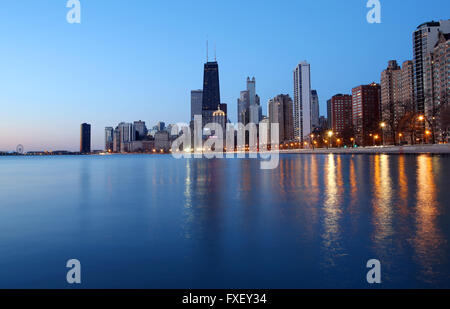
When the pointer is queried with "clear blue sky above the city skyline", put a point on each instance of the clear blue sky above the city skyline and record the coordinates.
(139, 59)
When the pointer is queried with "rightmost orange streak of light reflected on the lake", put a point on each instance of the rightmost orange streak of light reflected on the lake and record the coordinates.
(428, 239)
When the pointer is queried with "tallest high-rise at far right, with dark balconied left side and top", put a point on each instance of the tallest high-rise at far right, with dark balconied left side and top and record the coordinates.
(424, 40)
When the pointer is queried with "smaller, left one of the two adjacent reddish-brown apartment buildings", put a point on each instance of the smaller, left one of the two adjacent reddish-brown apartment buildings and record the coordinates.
(341, 113)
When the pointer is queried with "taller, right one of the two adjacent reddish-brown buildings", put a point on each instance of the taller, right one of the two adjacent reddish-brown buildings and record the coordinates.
(366, 112)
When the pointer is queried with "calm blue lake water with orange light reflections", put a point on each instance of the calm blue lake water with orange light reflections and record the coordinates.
(151, 221)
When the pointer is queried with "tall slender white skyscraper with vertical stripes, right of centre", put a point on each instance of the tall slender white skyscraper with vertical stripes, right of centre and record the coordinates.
(302, 101)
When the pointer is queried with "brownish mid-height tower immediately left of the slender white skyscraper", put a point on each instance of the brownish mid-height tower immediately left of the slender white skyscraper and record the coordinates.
(280, 111)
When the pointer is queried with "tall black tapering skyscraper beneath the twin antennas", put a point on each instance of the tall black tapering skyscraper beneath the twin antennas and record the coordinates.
(211, 91)
